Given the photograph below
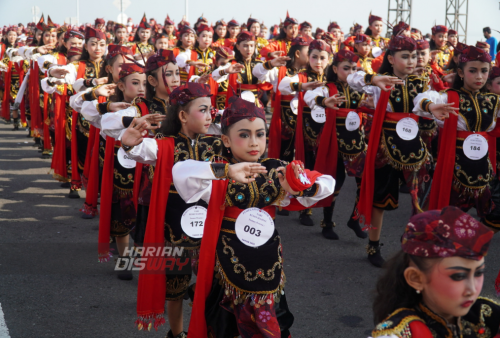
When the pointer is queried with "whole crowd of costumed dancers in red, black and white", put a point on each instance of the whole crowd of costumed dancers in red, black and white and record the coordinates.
(166, 127)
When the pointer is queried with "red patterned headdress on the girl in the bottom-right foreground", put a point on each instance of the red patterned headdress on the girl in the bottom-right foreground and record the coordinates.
(449, 232)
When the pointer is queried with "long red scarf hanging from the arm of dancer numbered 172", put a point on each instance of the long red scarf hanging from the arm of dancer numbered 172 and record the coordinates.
(152, 284)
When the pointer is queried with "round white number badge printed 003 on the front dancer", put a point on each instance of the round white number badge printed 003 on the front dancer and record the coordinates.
(254, 227)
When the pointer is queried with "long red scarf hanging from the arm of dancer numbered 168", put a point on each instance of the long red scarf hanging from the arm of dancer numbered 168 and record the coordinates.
(365, 204)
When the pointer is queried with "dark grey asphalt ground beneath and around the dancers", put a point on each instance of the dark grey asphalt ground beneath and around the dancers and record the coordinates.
(51, 284)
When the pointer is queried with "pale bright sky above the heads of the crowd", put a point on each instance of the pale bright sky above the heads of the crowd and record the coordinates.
(319, 12)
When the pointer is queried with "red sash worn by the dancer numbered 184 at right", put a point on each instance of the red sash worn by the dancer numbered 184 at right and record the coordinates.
(443, 176)
